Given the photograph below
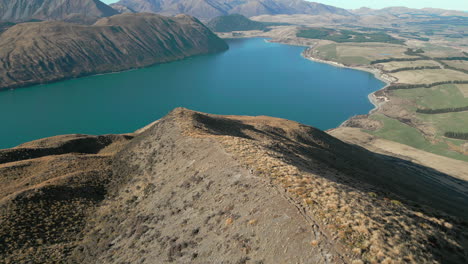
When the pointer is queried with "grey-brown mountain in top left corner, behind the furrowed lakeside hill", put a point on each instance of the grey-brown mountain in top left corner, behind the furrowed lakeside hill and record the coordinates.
(85, 11)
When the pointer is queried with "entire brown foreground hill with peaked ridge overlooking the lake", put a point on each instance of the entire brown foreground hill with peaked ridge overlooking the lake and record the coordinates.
(200, 188)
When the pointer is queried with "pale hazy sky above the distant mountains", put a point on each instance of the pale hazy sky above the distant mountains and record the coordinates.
(352, 4)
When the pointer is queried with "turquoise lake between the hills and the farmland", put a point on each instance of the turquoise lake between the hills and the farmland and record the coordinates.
(253, 78)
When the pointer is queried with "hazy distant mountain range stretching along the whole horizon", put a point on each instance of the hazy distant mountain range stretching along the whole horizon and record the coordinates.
(89, 11)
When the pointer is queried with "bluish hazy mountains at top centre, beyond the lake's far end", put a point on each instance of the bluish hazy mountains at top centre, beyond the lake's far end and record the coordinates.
(204, 9)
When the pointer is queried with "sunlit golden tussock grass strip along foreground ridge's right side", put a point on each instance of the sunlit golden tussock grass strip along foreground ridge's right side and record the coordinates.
(372, 227)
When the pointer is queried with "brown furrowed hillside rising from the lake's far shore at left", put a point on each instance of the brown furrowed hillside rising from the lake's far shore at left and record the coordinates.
(32, 53)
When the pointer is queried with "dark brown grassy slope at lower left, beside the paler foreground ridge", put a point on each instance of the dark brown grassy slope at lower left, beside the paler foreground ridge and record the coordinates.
(44, 201)
